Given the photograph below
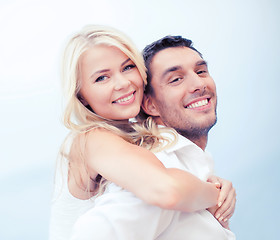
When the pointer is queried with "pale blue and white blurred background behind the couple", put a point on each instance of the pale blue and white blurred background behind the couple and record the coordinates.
(239, 39)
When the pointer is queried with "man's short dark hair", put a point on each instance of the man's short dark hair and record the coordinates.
(152, 49)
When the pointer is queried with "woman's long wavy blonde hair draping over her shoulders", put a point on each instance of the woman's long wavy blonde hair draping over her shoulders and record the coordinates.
(77, 117)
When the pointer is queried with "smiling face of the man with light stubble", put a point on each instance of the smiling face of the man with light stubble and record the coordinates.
(184, 93)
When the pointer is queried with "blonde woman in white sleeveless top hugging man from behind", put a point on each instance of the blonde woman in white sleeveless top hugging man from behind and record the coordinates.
(103, 80)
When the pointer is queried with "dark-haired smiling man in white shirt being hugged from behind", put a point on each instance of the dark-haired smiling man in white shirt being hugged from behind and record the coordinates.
(182, 95)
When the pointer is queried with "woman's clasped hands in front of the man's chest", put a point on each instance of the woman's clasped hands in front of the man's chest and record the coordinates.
(226, 201)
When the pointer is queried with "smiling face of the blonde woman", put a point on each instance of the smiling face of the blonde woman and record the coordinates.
(110, 83)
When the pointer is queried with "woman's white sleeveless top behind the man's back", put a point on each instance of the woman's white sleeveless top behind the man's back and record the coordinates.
(65, 208)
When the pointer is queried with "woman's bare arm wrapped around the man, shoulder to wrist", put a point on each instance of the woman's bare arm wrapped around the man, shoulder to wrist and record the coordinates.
(139, 171)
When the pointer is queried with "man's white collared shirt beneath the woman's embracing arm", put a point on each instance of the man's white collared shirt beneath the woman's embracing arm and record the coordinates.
(118, 214)
